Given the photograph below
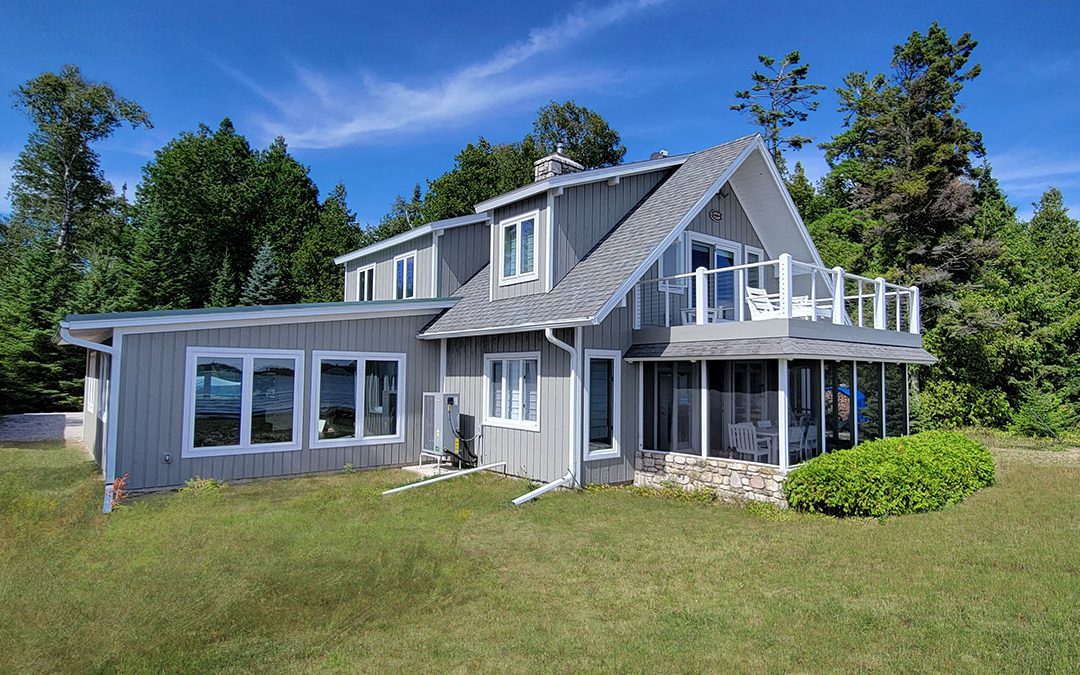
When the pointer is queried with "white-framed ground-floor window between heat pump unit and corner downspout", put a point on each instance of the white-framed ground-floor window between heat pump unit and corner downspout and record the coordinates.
(514, 390)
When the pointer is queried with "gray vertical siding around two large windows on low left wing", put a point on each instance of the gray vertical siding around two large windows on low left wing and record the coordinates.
(151, 411)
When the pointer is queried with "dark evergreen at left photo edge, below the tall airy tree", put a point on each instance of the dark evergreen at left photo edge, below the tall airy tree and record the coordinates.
(38, 374)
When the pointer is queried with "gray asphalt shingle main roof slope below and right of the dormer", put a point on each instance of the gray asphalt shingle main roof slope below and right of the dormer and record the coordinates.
(597, 278)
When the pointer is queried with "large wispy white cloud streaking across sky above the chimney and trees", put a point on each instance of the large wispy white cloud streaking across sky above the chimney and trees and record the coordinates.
(330, 112)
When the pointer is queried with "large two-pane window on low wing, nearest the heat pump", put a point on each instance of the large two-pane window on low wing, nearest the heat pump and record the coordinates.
(358, 399)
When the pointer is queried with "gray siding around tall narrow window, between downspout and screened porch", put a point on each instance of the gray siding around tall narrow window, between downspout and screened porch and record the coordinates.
(616, 333)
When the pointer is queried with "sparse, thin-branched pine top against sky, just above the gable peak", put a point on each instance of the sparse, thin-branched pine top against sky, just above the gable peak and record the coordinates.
(787, 99)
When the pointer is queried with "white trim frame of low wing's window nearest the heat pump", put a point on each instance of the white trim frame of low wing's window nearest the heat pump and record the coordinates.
(359, 438)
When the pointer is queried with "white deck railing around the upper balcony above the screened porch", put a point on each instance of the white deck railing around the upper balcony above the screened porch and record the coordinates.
(782, 289)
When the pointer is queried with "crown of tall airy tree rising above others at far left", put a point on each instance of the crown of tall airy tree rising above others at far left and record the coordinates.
(58, 186)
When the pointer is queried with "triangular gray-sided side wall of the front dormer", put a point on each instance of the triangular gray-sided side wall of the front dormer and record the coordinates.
(585, 214)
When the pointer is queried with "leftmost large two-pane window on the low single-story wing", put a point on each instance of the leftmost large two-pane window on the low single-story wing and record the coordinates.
(242, 401)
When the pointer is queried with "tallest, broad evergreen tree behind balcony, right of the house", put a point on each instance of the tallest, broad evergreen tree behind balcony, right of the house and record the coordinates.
(907, 157)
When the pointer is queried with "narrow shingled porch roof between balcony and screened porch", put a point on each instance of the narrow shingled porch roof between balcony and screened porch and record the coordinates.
(779, 348)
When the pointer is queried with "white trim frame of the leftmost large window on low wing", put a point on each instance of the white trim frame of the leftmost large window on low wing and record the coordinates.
(249, 356)
